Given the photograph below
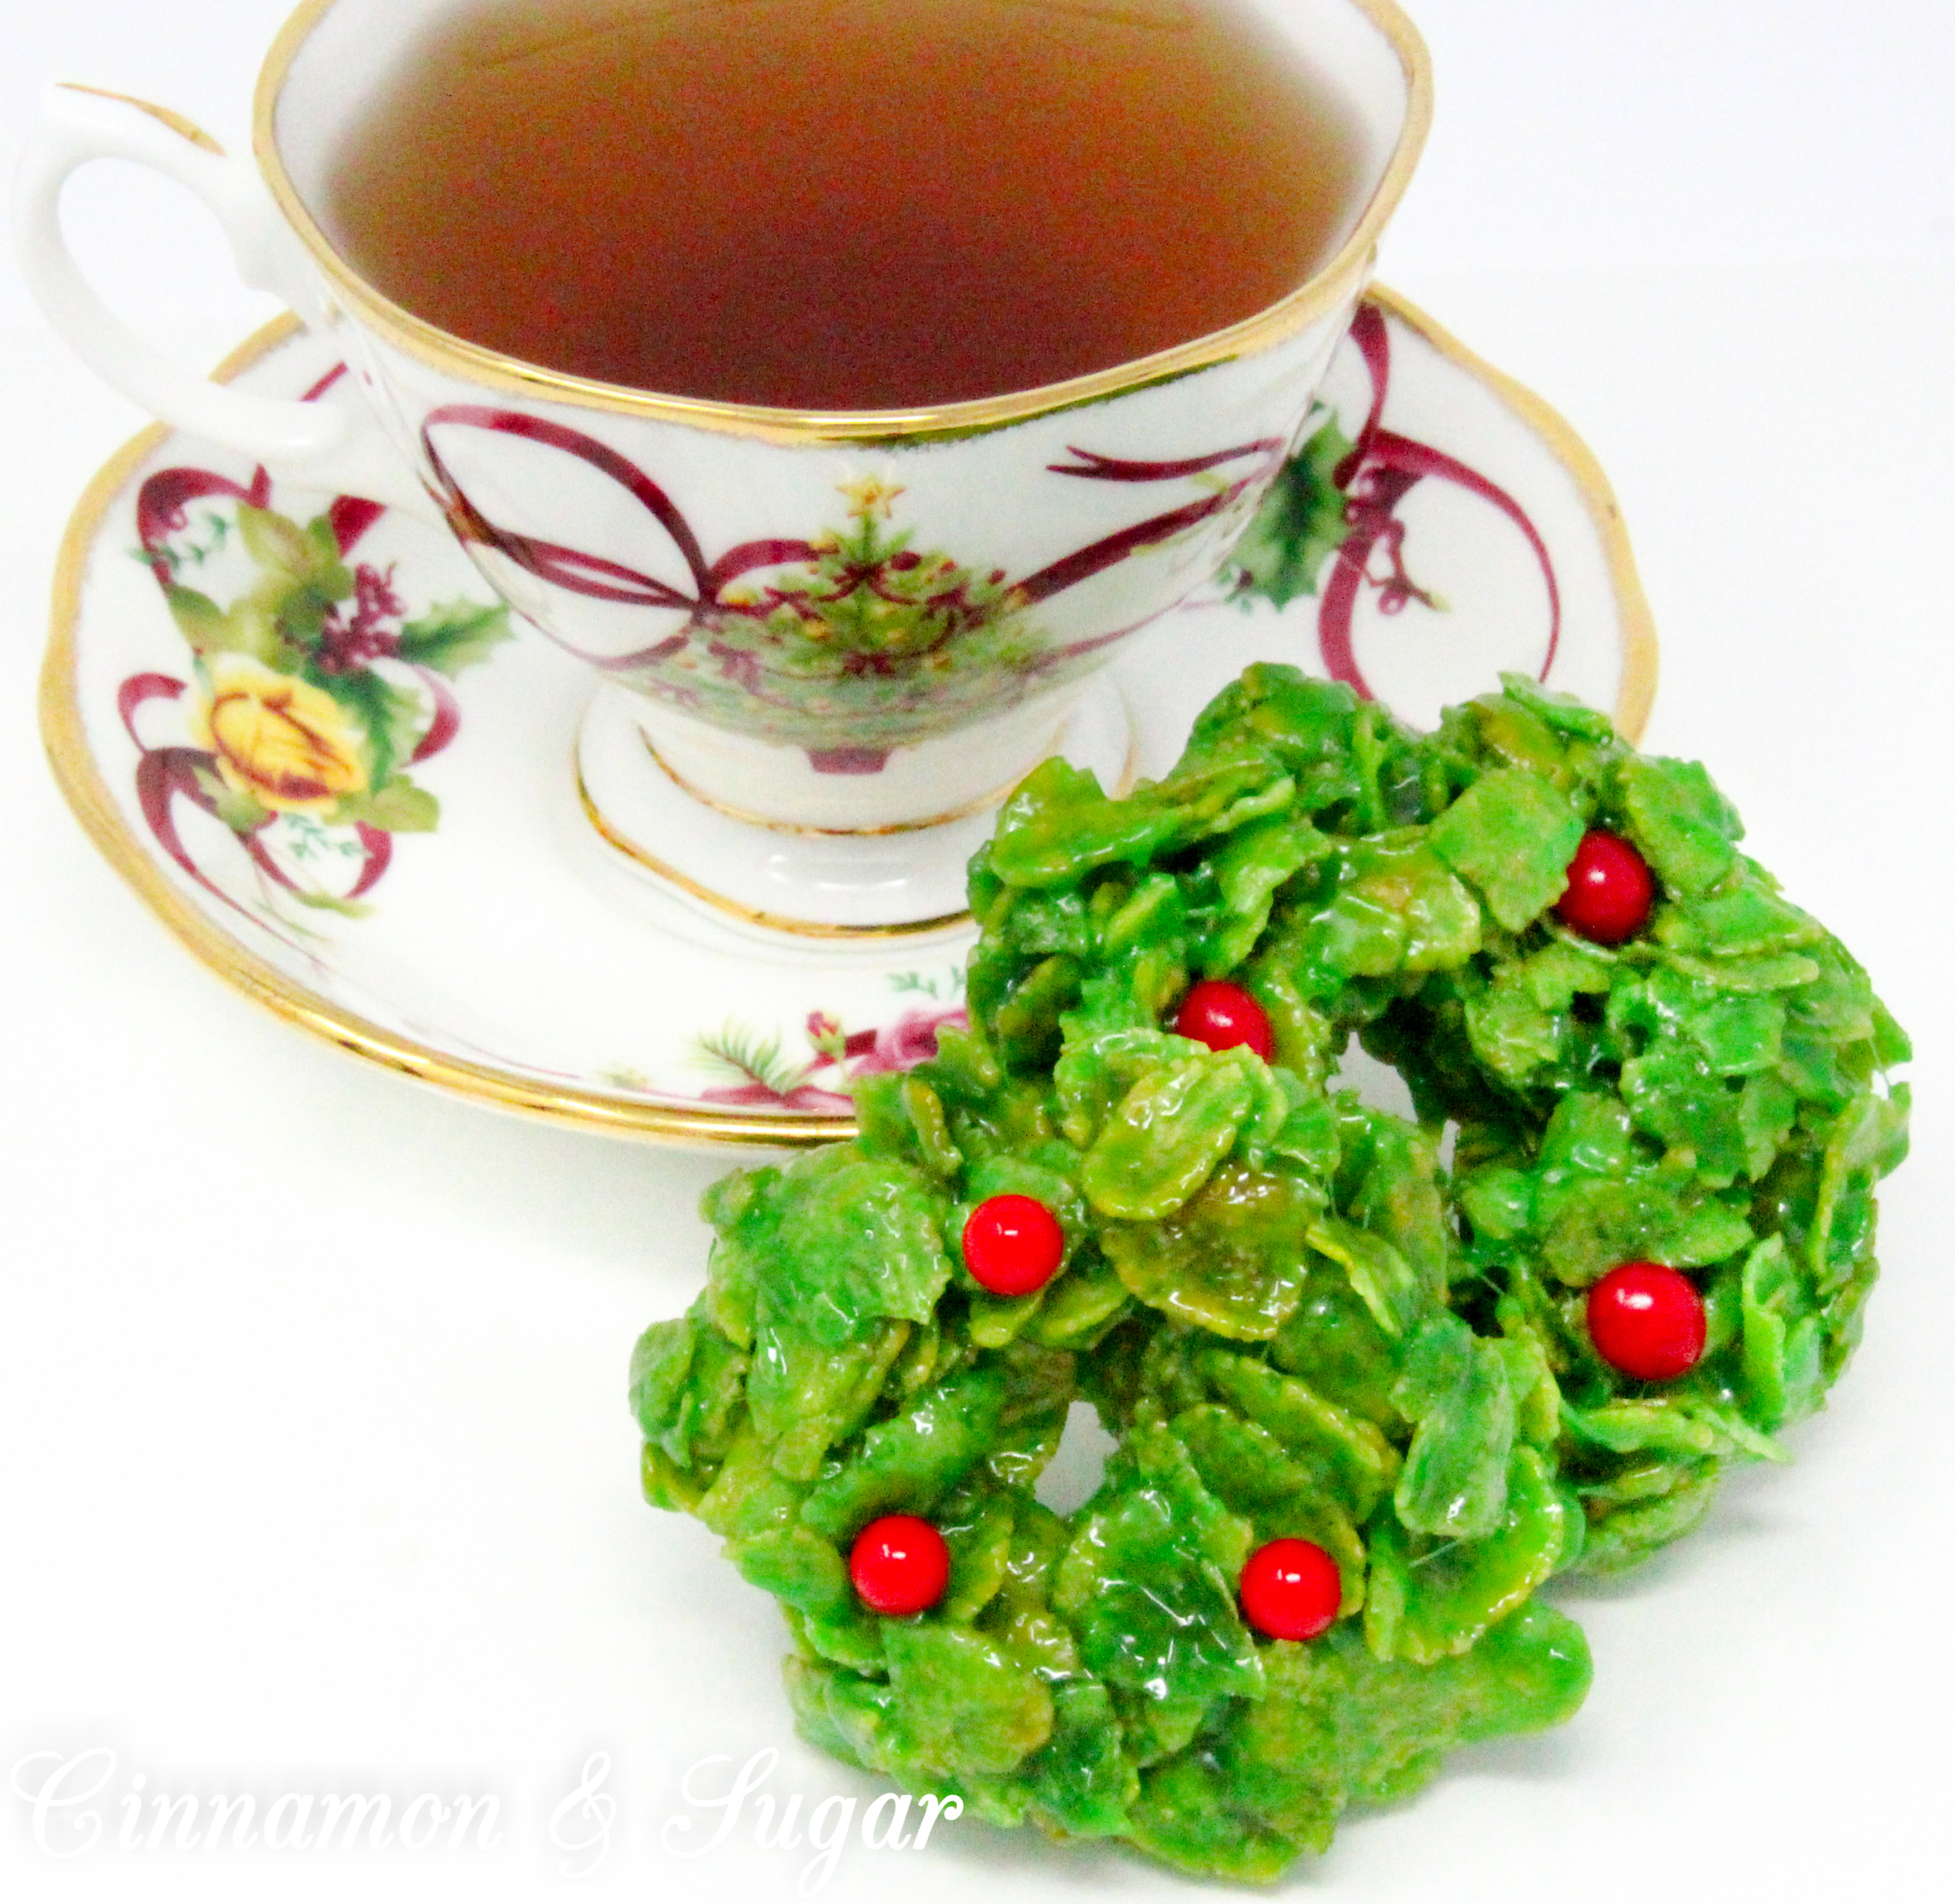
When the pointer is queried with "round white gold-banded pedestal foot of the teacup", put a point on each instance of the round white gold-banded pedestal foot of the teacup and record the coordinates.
(797, 879)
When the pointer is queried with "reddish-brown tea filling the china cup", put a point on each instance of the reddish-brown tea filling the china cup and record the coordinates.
(844, 204)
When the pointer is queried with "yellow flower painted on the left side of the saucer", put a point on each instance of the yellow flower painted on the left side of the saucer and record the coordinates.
(281, 740)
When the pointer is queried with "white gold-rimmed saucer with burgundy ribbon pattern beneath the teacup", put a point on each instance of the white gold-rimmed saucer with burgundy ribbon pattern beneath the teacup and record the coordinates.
(521, 959)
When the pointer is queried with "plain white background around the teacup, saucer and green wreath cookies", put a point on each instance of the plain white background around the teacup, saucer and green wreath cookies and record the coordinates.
(314, 1459)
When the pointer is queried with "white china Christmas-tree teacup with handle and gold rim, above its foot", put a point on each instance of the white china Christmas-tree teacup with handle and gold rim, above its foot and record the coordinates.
(677, 544)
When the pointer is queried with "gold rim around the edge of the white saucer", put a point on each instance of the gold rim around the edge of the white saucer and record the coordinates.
(81, 781)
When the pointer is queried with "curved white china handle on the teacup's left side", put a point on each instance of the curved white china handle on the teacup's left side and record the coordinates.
(316, 445)
